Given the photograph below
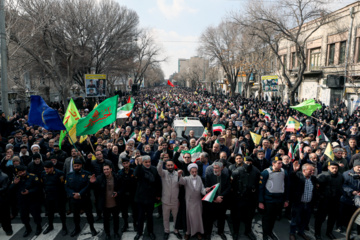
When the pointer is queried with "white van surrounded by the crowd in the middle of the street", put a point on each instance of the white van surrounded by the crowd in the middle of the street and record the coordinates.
(192, 123)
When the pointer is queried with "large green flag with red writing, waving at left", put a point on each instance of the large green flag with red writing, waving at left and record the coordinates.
(103, 115)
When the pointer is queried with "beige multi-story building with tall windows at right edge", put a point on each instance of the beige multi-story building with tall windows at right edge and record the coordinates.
(332, 59)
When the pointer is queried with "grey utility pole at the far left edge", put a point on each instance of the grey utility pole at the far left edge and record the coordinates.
(4, 83)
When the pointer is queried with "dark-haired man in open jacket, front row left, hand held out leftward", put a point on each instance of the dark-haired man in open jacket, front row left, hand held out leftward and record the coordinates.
(107, 185)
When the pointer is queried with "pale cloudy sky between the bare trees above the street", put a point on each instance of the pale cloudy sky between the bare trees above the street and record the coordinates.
(177, 24)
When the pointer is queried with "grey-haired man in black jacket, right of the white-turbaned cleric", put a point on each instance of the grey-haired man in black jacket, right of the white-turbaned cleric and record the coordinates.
(216, 210)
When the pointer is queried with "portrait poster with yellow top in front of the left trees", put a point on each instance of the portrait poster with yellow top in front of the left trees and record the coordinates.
(95, 85)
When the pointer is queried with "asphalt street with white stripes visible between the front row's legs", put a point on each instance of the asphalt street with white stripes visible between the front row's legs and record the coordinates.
(281, 230)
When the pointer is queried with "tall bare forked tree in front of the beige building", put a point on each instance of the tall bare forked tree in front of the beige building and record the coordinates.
(287, 20)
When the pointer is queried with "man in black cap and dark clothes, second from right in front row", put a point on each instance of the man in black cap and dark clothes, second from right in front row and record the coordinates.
(329, 192)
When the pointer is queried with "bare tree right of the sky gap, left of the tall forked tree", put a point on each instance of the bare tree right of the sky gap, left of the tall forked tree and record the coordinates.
(221, 45)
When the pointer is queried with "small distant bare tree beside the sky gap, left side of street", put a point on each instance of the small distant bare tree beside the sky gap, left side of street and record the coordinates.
(147, 53)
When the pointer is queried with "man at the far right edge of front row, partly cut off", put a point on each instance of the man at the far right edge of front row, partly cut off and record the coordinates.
(351, 189)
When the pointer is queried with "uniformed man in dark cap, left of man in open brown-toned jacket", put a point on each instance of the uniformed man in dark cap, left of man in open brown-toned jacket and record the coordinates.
(77, 186)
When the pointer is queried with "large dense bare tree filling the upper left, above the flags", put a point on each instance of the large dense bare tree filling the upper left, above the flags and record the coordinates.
(67, 37)
